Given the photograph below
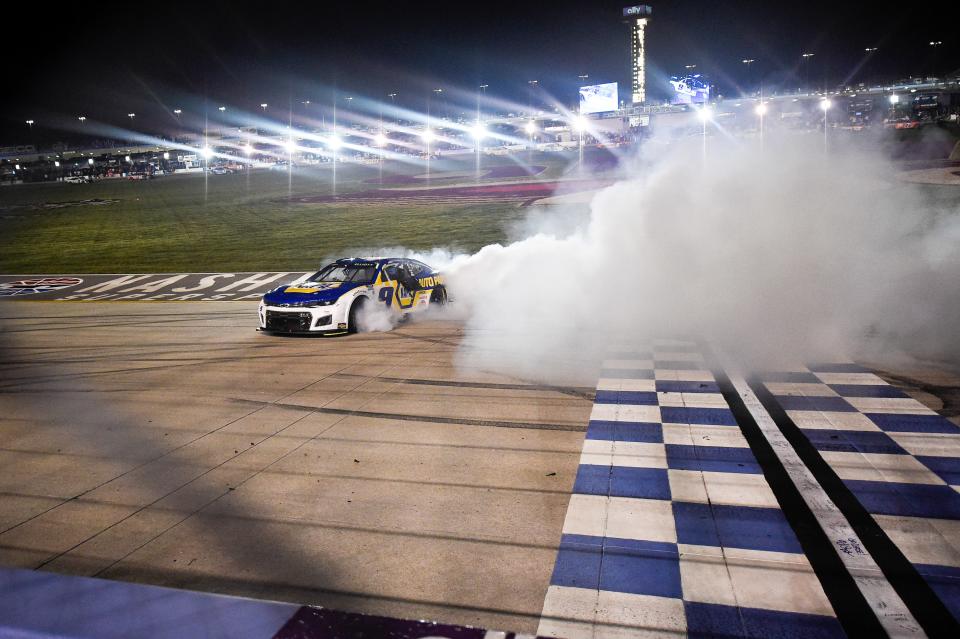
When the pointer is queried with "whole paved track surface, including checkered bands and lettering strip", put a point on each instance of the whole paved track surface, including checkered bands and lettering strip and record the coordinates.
(172, 444)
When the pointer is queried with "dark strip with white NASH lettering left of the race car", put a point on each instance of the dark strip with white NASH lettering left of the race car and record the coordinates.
(145, 287)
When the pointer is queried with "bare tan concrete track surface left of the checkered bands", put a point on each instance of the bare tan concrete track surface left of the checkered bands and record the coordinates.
(172, 444)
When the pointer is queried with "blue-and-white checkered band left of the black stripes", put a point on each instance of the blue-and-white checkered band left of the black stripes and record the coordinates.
(672, 528)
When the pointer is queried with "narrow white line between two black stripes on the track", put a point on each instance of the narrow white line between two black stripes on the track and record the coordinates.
(890, 609)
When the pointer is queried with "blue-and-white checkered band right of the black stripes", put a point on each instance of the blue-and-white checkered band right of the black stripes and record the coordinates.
(900, 459)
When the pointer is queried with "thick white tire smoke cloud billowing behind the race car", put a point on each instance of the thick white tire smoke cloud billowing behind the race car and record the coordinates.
(786, 255)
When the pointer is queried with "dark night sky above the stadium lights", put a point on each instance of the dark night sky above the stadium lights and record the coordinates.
(104, 60)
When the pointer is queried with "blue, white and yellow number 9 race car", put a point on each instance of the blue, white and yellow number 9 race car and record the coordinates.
(334, 299)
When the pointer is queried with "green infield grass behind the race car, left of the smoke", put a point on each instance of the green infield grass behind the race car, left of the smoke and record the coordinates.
(241, 223)
